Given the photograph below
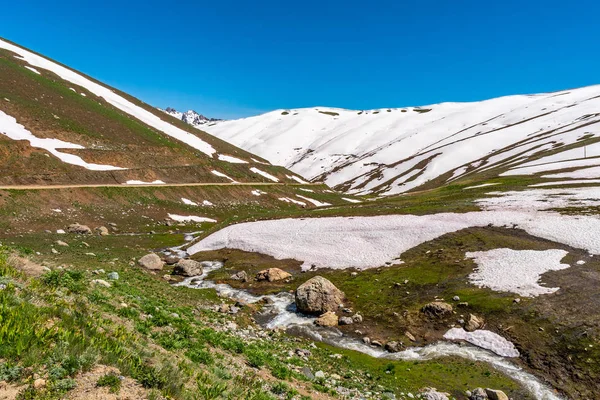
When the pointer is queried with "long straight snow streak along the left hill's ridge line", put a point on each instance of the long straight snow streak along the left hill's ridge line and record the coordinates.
(111, 97)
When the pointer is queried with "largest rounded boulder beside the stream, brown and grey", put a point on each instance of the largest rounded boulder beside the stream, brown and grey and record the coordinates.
(317, 296)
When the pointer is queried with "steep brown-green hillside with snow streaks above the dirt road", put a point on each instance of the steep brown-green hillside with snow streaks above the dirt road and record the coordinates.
(59, 126)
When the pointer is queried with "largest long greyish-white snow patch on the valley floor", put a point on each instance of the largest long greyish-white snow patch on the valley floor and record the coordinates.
(367, 242)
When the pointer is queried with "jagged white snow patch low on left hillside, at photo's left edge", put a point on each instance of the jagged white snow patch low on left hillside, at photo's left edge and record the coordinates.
(15, 131)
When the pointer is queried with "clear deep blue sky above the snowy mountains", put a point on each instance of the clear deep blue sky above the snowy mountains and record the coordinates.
(237, 58)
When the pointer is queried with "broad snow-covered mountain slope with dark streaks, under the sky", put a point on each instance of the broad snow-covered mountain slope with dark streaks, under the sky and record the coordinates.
(390, 151)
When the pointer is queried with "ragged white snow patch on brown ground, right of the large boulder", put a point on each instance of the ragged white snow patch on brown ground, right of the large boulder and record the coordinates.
(516, 271)
